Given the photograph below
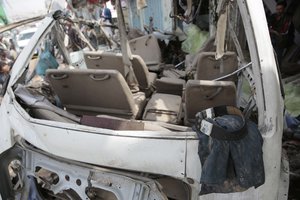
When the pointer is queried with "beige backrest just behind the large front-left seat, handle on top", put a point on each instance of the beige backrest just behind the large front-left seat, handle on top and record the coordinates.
(104, 60)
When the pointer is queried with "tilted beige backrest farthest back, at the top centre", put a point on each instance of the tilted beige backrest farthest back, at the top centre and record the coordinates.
(147, 47)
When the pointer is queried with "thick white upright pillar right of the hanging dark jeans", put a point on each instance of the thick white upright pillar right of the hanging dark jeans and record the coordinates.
(270, 103)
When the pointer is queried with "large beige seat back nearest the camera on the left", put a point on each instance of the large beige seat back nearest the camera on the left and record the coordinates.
(93, 92)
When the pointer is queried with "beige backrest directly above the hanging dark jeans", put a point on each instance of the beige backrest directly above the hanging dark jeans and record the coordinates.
(203, 94)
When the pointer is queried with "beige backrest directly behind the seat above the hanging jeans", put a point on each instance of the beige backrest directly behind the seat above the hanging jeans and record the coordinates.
(208, 68)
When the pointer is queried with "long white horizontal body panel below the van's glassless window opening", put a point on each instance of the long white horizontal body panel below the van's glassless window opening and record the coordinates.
(107, 148)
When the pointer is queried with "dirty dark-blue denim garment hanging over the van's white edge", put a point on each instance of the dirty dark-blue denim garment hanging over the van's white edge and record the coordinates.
(231, 165)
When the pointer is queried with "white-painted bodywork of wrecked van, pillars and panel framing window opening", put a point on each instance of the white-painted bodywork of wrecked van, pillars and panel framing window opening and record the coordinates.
(163, 153)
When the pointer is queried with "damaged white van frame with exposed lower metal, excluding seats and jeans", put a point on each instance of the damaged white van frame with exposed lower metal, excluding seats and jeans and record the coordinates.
(45, 159)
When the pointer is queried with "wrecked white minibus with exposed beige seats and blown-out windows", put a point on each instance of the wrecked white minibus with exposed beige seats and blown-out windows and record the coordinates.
(120, 127)
